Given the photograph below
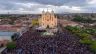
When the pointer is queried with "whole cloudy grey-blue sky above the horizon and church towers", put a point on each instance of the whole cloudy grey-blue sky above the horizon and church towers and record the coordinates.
(36, 6)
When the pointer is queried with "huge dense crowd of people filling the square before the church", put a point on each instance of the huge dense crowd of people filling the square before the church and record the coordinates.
(63, 43)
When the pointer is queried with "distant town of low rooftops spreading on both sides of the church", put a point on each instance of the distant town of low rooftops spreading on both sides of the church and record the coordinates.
(22, 20)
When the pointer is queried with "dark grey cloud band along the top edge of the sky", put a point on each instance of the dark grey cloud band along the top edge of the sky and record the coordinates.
(56, 2)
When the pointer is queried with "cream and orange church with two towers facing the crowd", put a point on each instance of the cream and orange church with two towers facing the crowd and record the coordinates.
(48, 20)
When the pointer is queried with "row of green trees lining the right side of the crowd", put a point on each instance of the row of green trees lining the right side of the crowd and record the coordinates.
(84, 35)
